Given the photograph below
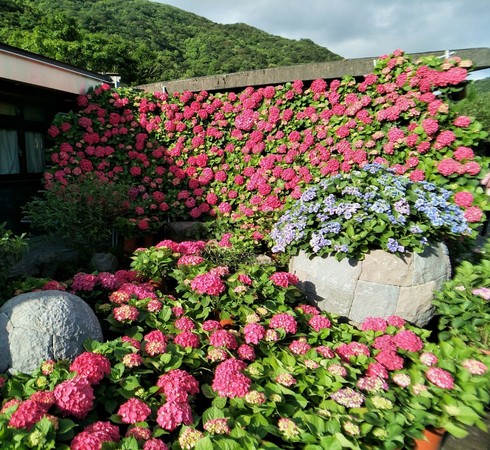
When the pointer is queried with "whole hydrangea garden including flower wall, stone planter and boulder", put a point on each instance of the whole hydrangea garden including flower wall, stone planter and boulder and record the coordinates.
(306, 270)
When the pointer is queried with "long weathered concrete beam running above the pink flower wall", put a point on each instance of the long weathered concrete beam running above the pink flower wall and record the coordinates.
(307, 72)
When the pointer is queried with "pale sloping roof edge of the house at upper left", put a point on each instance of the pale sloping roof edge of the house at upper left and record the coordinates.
(29, 68)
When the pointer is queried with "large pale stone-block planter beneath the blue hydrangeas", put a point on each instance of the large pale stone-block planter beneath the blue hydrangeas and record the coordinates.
(381, 285)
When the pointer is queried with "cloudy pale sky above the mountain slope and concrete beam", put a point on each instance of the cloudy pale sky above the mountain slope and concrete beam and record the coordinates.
(359, 28)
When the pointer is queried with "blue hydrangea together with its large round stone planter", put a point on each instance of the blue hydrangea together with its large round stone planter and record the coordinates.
(370, 242)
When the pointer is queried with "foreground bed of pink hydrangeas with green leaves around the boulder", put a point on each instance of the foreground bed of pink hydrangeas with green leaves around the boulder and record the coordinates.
(273, 372)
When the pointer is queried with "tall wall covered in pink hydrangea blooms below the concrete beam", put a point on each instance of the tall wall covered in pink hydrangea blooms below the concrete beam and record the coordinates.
(242, 155)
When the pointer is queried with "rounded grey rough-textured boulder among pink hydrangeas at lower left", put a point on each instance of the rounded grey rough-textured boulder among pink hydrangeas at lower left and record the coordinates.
(44, 325)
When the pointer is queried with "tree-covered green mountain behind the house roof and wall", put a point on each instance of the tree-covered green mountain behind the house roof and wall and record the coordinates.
(145, 41)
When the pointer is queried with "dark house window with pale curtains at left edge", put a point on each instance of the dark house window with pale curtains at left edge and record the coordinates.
(22, 131)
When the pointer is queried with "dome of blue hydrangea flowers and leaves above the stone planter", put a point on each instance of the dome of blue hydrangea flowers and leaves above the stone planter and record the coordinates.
(366, 209)
